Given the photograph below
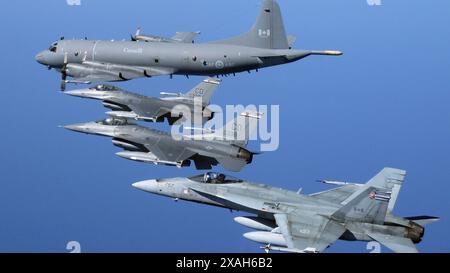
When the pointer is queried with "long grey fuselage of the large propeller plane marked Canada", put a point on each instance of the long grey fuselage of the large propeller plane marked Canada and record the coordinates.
(183, 59)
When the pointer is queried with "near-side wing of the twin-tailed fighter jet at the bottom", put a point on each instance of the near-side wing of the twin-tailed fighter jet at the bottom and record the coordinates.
(308, 233)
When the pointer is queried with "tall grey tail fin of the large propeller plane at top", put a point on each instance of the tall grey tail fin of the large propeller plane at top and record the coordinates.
(267, 32)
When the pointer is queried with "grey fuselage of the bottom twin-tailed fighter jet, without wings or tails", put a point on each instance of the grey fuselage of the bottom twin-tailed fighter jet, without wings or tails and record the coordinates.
(264, 201)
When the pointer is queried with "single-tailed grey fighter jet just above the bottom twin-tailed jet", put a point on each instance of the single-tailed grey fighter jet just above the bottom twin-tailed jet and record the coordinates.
(226, 146)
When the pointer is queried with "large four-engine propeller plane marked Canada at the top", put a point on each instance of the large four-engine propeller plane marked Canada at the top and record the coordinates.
(87, 61)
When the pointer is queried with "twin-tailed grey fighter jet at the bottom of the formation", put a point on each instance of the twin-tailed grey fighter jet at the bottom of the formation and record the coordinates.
(293, 222)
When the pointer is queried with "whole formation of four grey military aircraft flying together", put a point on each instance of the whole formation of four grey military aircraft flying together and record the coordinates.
(284, 220)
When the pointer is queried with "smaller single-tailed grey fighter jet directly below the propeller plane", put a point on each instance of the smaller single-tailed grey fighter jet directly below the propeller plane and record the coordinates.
(129, 105)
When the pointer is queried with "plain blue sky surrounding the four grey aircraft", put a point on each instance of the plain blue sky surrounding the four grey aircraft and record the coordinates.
(386, 102)
